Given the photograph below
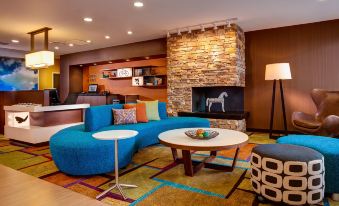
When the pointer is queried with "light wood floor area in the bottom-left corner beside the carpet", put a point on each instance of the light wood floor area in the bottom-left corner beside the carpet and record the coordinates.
(17, 188)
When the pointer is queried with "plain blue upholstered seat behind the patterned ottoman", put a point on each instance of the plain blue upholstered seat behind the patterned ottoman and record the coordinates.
(327, 146)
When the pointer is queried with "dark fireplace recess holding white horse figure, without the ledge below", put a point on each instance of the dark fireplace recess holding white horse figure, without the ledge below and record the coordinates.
(224, 99)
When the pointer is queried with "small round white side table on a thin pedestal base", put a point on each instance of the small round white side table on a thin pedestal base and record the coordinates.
(115, 135)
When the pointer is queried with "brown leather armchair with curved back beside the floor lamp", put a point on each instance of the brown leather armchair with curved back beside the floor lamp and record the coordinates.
(326, 120)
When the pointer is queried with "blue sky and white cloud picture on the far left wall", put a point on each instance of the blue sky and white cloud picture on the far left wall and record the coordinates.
(15, 76)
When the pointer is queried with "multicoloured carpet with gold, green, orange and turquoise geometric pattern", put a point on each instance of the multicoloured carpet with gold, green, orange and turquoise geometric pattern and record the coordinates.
(160, 181)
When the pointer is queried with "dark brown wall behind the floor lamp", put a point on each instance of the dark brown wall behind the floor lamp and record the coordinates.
(313, 53)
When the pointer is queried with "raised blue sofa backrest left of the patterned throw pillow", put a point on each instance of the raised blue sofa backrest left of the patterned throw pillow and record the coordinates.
(97, 117)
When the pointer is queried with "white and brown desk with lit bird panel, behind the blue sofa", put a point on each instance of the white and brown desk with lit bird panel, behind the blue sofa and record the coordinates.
(36, 124)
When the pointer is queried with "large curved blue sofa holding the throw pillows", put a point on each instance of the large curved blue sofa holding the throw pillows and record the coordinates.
(76, 152)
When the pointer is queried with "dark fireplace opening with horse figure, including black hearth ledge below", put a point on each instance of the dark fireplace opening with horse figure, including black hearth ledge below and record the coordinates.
(222, 102)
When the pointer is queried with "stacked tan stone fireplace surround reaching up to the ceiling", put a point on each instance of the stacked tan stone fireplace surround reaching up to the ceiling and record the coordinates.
(214, 59)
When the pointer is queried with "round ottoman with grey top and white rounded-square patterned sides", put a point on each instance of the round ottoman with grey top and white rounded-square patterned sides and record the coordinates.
(288, 173)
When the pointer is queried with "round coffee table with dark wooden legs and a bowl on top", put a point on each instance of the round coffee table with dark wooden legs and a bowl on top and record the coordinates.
(227, 139)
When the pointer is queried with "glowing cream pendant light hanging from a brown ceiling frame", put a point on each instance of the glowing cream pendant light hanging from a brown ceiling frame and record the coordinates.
(39, 59)
